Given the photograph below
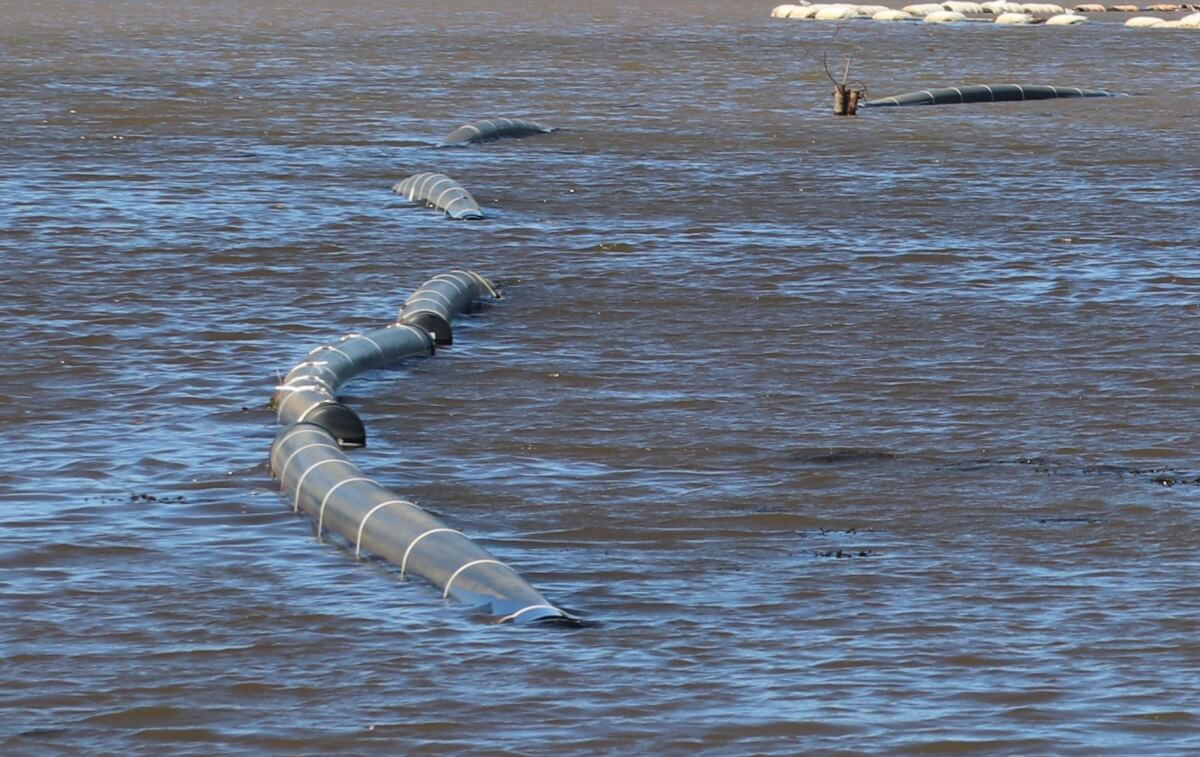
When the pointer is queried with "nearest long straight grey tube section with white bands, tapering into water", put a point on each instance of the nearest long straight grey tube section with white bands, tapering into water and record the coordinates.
(320, 480)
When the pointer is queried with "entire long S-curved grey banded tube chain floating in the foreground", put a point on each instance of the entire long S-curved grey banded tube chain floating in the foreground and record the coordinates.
(308, 459)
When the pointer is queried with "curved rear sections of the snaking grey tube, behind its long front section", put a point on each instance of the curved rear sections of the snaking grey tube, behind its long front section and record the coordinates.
(309, 393)
